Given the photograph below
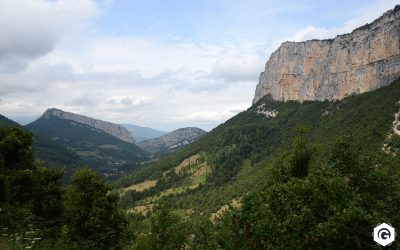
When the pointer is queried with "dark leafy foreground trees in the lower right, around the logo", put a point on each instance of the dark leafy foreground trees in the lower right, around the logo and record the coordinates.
(337, 206)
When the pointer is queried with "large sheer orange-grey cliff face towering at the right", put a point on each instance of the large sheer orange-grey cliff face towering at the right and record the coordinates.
(364, 60)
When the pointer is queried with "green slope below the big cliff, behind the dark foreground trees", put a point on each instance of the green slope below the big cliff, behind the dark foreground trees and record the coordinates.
(238, 152)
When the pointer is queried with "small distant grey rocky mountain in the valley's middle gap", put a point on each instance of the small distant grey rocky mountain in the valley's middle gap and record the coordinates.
(171, 141)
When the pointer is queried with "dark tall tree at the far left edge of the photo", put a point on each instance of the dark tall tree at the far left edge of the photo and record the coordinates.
(30, 195)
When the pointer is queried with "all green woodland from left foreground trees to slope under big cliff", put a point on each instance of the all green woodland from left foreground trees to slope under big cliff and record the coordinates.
(319, 175)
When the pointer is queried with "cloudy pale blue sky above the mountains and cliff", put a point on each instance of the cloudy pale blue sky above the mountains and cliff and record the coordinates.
(164, 64)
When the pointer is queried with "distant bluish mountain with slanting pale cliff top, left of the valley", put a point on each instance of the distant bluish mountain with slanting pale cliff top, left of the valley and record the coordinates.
(88, 138)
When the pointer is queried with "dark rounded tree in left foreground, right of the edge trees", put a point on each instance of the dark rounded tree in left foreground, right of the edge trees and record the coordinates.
(92, 215)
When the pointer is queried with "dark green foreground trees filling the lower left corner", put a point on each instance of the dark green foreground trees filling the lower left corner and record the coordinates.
(38, 211)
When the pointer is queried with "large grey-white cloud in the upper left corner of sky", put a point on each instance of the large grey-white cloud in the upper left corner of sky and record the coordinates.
(30, 29)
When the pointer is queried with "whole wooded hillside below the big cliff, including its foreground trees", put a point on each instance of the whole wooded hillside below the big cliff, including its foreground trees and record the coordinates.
(316, 171)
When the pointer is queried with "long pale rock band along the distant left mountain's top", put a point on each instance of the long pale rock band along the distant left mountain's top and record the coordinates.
(107, 127)
